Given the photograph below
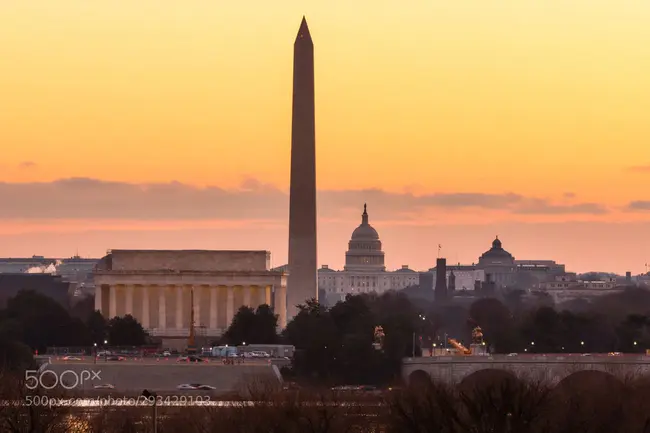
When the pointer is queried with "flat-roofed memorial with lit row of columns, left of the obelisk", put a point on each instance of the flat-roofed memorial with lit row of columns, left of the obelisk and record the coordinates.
(155, 287)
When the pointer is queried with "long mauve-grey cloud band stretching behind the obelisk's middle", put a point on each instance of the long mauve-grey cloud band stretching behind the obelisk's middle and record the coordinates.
(85, 198)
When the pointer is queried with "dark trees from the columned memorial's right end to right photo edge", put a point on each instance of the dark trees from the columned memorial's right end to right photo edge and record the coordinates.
(336, 344)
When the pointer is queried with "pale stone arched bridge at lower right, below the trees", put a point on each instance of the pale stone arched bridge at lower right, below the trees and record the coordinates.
(551, 368)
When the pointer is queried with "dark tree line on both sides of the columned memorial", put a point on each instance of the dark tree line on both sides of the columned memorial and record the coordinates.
(337, 344)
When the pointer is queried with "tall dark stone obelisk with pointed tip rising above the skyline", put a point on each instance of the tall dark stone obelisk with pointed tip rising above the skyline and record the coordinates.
(303, 267)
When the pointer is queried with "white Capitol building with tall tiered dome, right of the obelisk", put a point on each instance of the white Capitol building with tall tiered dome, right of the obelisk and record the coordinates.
(364, 269)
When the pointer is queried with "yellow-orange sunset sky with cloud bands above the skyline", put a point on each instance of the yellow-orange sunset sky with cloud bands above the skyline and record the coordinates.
(166, 124)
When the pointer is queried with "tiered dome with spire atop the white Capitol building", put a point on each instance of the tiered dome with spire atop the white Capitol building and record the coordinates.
(364, 249)
